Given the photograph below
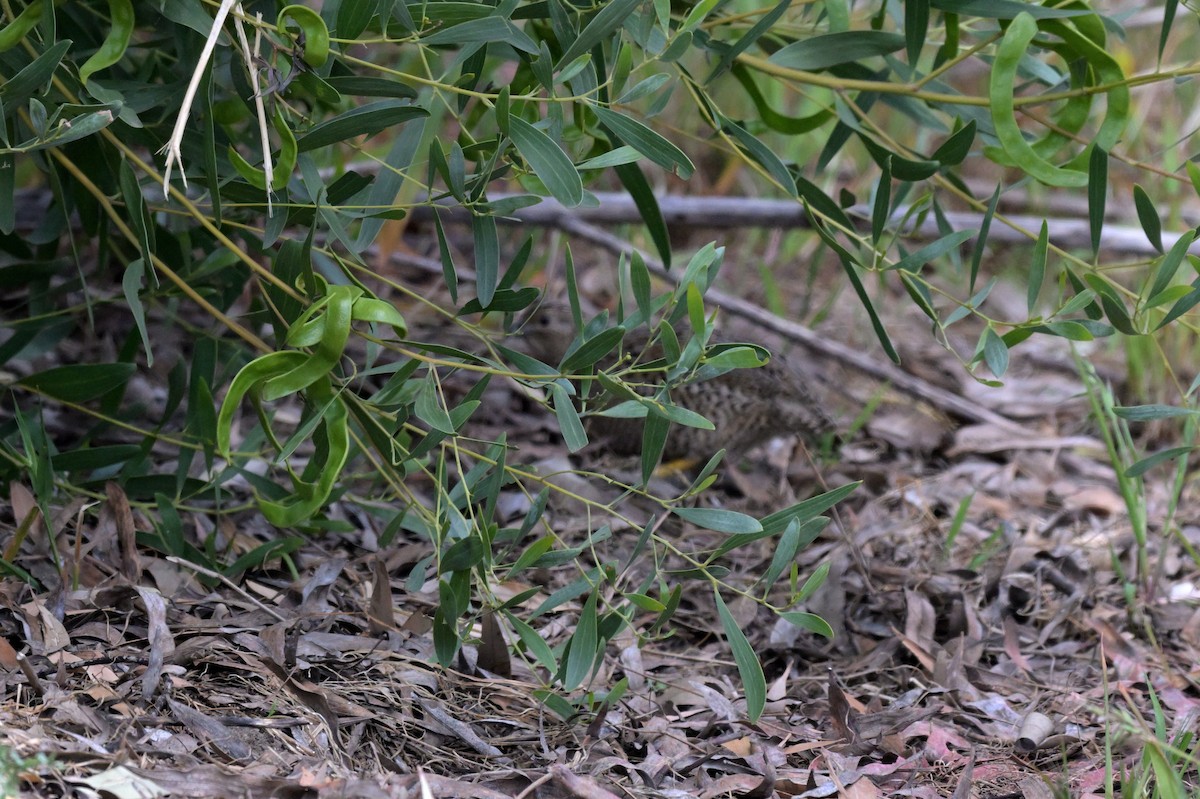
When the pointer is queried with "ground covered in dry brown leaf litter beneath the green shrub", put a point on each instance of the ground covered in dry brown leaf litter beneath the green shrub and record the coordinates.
(993, 638)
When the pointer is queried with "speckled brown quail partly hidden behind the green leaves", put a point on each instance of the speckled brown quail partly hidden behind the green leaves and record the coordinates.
(747, 406)
